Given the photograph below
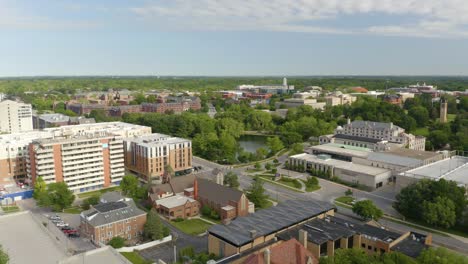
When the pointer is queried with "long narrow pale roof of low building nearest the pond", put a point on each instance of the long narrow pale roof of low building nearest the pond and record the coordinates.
(340, 164)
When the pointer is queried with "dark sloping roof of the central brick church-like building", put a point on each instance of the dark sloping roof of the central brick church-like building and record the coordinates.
(219, 194)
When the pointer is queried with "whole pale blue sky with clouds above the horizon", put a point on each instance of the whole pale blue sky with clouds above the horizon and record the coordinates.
(234, 37)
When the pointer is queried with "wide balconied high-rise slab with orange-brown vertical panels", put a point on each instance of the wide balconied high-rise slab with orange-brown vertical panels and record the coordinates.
(85, 162)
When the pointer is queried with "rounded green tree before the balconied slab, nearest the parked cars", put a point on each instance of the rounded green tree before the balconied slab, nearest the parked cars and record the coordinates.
(59, 196)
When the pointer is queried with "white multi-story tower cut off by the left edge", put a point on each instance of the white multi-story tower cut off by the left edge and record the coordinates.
(15, 117)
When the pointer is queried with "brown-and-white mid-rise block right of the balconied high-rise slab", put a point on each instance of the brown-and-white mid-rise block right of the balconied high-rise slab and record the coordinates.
(149, 155)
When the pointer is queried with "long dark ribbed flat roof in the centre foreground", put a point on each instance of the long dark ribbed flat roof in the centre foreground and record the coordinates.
(269, 220)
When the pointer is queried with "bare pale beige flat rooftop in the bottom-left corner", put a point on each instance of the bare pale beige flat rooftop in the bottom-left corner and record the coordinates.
(27, 241)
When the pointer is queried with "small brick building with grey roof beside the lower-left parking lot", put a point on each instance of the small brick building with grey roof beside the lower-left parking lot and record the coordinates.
(113, 218)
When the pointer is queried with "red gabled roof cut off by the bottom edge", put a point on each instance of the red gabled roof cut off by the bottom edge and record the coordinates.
(289, 252)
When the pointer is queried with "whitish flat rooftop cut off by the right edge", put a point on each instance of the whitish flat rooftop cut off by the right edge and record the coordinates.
(451, 169)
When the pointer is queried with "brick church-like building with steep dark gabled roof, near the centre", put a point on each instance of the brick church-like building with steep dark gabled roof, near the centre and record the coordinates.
(229, 203)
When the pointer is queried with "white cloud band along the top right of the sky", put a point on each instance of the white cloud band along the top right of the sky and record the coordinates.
(433, 18)
